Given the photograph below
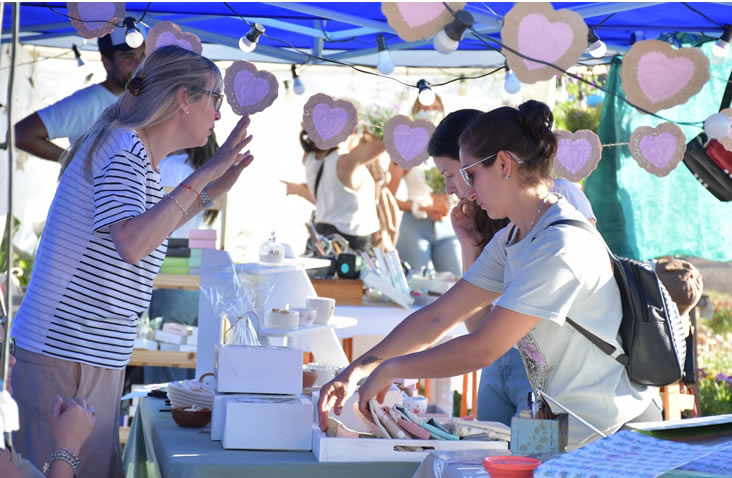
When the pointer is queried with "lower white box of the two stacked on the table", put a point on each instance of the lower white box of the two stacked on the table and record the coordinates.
(262, 422)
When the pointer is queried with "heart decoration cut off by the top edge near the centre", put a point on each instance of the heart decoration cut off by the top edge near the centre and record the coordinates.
(415, 21)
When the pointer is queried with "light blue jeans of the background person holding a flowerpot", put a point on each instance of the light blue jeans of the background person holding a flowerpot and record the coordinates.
(421, 240)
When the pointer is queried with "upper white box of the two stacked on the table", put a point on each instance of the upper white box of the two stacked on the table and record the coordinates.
(258, 369)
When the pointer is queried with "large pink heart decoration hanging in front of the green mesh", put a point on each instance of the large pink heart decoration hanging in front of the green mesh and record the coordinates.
(656, 76)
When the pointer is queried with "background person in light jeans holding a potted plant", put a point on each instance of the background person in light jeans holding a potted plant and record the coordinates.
(424, 232)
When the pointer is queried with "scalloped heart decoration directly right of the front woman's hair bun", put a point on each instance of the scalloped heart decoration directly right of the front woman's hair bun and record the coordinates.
(577, 154)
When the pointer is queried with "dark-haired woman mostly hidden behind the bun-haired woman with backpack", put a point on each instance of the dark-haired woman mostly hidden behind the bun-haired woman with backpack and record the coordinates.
(504, 386)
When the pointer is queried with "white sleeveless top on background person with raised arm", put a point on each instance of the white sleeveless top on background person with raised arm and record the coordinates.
(351, 211)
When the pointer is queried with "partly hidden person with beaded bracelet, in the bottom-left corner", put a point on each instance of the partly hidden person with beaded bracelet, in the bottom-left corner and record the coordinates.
(71, 422)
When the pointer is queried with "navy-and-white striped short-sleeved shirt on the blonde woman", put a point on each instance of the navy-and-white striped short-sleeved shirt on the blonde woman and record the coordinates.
(83, 300)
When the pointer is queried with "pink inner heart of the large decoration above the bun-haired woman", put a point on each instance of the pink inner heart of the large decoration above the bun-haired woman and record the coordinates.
(539, 38)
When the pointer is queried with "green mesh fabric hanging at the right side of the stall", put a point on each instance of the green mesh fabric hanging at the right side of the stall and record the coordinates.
(641, 215)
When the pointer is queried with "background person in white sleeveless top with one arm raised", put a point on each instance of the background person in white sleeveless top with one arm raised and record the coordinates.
(342, 188)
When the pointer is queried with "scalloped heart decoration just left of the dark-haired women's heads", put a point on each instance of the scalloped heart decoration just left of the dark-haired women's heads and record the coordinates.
(406, 140)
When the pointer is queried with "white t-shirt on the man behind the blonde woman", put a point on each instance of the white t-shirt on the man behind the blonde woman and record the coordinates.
(73, 116)
